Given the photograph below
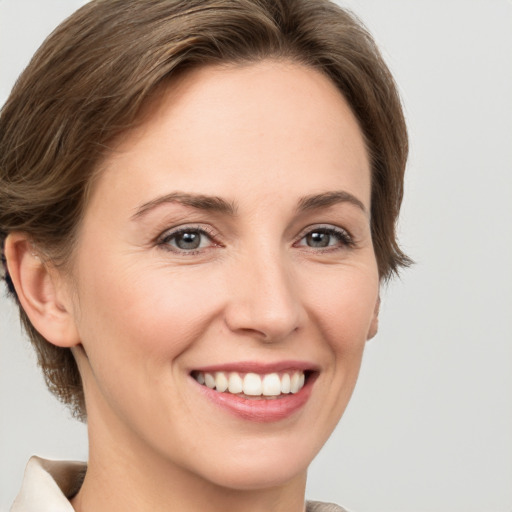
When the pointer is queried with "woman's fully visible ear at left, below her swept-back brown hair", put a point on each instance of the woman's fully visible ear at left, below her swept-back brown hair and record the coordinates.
(41, 291)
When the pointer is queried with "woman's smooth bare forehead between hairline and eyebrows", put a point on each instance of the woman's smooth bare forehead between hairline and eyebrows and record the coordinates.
(217, 127)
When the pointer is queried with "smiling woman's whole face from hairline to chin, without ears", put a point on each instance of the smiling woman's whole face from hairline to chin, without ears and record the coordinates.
(227, 243)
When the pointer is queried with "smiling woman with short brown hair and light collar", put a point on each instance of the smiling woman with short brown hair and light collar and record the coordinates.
(198, 202)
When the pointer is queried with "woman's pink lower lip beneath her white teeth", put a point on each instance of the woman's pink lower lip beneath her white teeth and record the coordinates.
(260, 410)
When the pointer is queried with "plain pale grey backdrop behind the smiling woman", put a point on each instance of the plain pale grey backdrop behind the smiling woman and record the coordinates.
(429, 428)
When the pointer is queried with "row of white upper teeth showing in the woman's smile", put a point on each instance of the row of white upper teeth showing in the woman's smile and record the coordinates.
(252, 384)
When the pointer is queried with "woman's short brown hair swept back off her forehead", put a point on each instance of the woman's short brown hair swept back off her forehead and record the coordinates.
(90, 79)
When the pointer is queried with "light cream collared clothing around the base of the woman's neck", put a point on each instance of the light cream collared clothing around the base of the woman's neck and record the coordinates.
(48, 485)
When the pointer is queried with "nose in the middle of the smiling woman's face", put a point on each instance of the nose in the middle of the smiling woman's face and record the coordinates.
(264, 302)
